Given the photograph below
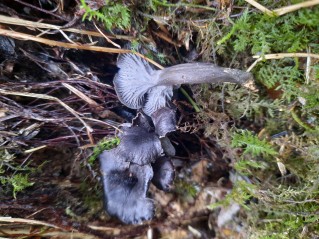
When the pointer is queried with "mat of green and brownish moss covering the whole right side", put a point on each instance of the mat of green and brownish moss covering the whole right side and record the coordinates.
(275, 205)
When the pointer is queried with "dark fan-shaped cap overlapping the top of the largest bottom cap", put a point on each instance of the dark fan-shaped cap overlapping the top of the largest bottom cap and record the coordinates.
(139, 146)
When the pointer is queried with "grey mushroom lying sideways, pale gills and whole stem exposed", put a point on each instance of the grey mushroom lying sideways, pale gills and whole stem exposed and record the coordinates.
(139, 86)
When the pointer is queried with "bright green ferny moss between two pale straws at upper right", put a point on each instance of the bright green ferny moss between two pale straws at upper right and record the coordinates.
(264, 34)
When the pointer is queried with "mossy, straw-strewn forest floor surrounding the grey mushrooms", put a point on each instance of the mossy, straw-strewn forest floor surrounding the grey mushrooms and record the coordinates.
(247, 161)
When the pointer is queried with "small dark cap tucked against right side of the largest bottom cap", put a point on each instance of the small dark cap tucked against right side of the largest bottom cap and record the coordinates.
(164, 173)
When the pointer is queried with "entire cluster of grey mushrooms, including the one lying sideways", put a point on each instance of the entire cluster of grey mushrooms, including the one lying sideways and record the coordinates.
(144, 153)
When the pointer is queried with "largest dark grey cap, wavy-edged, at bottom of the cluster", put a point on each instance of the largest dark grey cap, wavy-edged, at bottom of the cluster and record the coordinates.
(125, 188)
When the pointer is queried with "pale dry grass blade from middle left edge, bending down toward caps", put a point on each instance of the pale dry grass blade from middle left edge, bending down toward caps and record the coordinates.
(47, 97)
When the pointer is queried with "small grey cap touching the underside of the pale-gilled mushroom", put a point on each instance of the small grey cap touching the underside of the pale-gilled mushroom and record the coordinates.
(164, 120)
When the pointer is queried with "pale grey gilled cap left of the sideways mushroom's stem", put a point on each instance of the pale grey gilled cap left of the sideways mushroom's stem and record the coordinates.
(133, 80)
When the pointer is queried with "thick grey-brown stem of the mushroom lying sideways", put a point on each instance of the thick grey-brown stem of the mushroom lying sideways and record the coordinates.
(197, 73)
